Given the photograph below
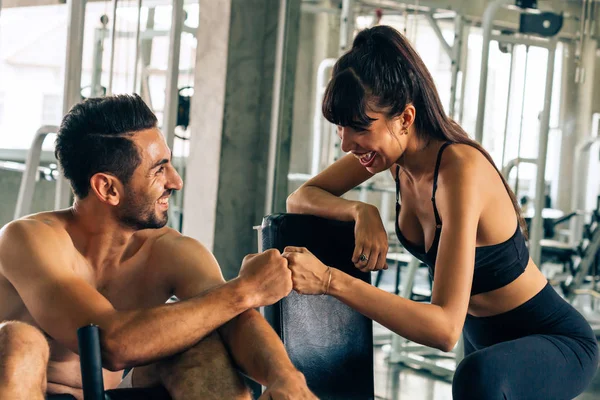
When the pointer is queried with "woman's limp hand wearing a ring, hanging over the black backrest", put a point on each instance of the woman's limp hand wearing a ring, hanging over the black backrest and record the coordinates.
(371, 243)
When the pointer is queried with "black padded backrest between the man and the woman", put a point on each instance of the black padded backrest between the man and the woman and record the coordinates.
(328, 341)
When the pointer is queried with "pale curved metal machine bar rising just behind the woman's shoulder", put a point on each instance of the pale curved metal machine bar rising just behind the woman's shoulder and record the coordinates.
(488, 23)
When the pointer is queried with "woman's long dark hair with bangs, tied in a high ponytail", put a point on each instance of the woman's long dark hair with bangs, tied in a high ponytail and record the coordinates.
(383, 69)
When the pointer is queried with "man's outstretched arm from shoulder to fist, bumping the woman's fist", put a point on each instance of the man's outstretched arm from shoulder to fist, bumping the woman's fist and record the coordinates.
(36, 259)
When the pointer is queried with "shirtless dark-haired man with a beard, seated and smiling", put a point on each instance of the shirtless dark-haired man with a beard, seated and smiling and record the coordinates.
(109, 260)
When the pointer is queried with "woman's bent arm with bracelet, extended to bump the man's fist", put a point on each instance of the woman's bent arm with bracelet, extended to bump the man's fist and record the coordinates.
(438, 324)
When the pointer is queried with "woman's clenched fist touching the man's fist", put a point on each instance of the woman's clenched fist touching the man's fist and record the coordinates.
(309, 275)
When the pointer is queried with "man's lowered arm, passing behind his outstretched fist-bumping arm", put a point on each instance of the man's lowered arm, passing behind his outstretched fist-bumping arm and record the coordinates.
(253, 344)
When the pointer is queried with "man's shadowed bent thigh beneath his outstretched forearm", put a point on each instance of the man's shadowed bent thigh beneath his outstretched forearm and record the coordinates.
(205, 371)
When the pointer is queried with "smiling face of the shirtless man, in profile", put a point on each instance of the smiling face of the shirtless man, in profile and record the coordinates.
(146, 199)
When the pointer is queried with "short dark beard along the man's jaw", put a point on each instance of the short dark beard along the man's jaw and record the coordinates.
(137, 213)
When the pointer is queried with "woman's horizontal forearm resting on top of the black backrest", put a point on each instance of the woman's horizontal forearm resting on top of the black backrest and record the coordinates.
(315, 201)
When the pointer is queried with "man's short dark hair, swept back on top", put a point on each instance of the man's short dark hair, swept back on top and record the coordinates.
(95, 136)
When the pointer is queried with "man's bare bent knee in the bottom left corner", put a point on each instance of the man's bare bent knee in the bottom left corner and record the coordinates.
(24, 353)
